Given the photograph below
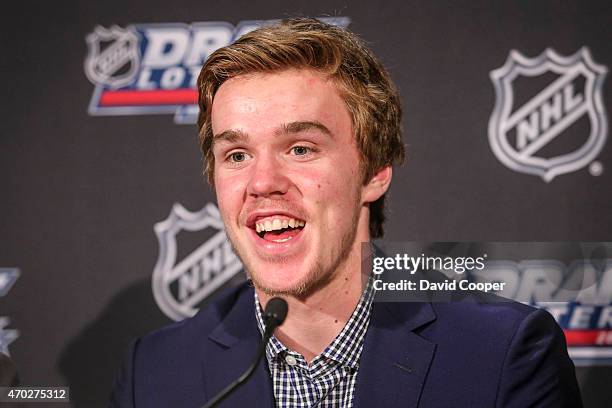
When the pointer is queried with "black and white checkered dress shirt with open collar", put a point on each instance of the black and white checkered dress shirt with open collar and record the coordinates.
(330, 380)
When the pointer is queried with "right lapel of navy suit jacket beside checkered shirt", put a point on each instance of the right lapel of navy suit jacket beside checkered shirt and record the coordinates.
(395, 360)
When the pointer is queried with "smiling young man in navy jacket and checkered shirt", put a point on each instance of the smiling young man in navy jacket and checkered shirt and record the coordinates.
(299, 126)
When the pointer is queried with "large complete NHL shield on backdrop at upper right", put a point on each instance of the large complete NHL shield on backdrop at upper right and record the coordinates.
(555, 127)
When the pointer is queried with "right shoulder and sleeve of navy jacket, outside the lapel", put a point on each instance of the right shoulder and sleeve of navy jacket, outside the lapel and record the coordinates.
(517, 350)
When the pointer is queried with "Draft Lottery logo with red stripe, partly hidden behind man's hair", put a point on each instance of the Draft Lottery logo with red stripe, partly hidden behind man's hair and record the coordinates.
(153, 68)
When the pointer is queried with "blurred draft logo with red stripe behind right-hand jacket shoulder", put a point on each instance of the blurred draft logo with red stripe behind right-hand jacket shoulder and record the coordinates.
(586, 319)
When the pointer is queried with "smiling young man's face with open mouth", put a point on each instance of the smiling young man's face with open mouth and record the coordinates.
(287, 177)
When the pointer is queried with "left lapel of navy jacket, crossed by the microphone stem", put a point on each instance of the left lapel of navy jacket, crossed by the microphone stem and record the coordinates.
(230, 349)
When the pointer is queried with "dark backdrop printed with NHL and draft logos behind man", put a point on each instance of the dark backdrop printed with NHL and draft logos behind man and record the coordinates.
(109, 230)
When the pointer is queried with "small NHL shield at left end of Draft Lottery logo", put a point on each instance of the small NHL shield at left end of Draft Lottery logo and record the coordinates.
(113, 59)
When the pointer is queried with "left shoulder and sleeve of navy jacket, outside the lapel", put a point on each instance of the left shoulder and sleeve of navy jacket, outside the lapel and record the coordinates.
(165, 368)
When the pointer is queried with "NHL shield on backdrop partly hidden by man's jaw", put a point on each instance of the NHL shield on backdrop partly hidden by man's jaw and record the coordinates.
(179, 285)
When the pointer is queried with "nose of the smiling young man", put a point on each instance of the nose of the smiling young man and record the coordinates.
(268, 177)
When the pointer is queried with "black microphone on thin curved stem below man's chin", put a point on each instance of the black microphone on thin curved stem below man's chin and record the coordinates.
(273, 316)
